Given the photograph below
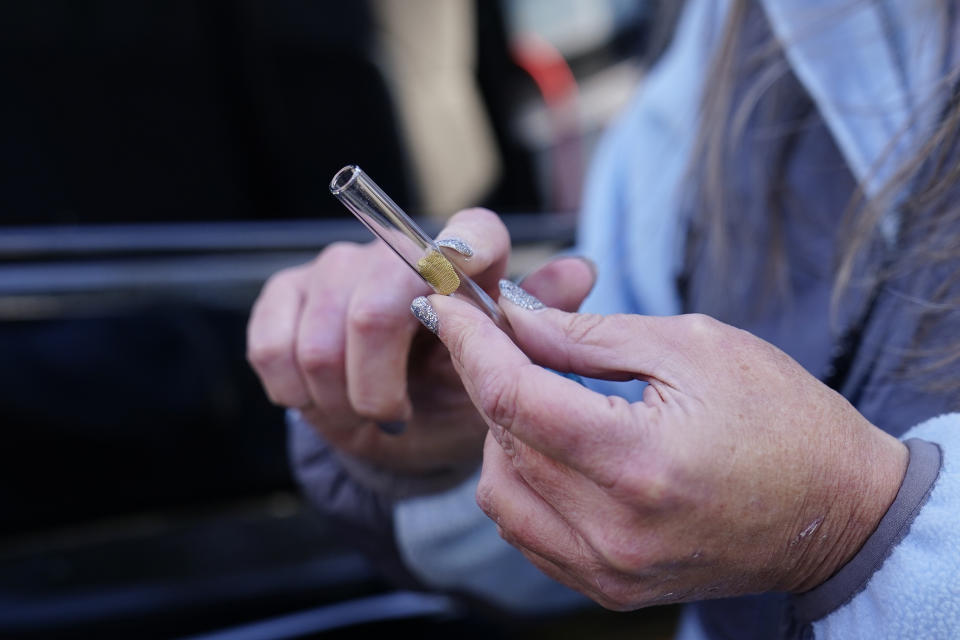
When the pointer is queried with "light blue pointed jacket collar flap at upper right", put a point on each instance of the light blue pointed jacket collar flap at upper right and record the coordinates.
(872, 68)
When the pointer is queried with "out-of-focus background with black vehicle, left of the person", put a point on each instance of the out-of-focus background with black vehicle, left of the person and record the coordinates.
(158, 160)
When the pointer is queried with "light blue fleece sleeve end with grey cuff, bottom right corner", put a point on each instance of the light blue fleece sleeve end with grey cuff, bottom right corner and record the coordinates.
(903, 583)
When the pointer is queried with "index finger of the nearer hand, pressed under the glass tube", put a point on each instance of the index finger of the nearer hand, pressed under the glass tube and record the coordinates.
(562, 419)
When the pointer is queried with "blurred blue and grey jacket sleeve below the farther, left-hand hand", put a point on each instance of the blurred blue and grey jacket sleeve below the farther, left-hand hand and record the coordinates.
(422, 533)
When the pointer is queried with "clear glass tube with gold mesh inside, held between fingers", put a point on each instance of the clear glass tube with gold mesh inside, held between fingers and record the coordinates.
(386, 220)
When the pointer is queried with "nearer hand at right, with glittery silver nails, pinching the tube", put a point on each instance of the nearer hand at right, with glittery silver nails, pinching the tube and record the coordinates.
(738, 472)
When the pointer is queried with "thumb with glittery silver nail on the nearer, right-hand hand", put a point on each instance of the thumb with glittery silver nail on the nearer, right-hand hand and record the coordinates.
(614, 347)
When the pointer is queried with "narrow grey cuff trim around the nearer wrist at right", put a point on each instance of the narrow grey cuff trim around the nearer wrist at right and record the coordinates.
(922, 472)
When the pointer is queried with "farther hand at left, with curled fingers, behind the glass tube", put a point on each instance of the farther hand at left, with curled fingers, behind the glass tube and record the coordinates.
(335, 339)
